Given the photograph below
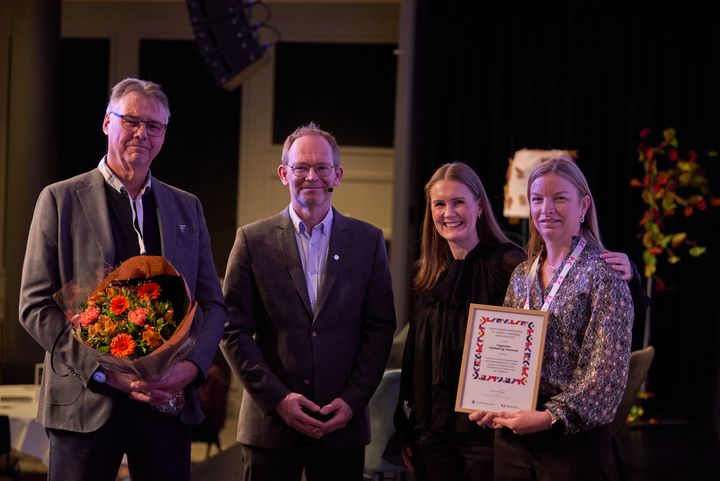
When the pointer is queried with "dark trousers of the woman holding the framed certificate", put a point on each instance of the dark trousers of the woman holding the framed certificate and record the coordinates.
(553, 456)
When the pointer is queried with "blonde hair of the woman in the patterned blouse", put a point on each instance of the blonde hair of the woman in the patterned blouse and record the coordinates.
(565, 167)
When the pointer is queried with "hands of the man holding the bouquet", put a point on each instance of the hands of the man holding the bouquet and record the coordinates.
(158, 393)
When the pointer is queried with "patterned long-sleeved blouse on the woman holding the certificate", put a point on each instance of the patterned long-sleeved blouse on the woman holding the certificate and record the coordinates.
(587, 346)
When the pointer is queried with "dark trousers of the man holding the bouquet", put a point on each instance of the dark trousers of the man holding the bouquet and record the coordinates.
(157, 447)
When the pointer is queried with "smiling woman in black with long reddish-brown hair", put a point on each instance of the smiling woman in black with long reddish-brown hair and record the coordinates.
(465, 257)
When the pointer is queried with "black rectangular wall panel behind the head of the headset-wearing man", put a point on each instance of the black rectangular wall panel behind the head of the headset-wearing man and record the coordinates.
(360, 77)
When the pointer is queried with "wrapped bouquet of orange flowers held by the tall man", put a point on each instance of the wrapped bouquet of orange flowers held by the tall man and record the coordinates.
(138, 317)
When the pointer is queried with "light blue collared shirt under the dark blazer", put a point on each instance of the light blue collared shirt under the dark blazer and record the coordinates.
(313, 246)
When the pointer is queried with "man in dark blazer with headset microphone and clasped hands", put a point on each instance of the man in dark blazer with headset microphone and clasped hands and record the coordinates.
(310, 324)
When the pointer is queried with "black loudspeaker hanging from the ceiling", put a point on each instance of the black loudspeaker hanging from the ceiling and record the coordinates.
(227, 39)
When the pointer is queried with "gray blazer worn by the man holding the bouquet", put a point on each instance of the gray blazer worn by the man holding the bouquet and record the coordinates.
(70, 239)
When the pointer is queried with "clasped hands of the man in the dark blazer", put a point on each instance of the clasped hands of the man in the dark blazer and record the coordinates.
(298, 411)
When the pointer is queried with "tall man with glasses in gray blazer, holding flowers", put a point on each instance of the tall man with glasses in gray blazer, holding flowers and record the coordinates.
(81, 227)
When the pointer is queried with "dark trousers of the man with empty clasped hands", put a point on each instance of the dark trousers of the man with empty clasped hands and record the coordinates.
(319, 463)
